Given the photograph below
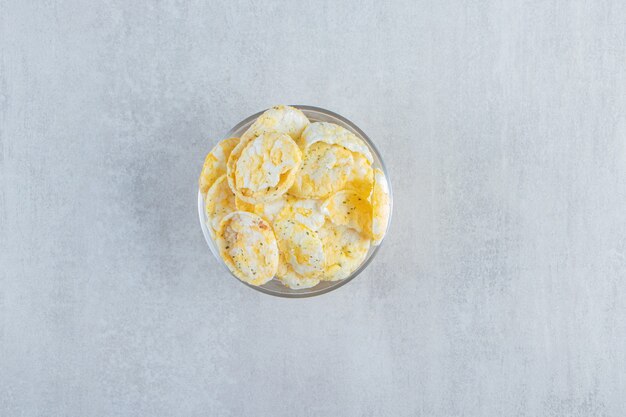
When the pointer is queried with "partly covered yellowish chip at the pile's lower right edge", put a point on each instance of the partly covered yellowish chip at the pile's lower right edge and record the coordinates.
(344, 250)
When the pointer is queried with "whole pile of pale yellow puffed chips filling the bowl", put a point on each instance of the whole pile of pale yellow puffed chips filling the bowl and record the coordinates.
(294, 200)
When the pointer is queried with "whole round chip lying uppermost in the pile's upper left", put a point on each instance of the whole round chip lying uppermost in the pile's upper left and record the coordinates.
(265, 168)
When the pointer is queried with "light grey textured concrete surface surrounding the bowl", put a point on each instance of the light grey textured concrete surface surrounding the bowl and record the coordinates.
(500, 290)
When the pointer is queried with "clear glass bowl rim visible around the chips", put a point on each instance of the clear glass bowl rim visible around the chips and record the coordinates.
(275, 287)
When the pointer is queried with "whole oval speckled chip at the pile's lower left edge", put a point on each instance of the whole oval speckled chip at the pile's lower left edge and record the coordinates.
(248, 247)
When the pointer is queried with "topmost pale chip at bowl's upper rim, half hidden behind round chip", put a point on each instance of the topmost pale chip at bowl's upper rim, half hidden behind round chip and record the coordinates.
(281, 119)
